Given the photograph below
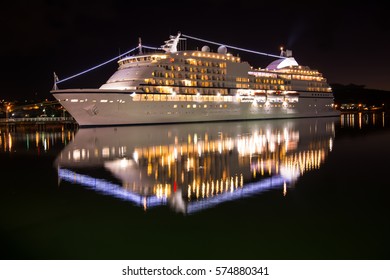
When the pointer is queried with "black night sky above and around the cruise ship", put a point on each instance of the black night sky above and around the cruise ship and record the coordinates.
(347, 43)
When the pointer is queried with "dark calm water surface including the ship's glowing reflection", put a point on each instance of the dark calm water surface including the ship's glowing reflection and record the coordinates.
(283, 189)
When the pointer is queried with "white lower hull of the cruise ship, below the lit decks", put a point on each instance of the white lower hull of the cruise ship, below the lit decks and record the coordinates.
(98, 107)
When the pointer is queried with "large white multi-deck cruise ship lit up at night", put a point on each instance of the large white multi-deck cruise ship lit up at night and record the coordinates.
(169, 85)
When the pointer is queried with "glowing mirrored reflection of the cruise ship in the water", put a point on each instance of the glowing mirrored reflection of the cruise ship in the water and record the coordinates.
(192, 167)
